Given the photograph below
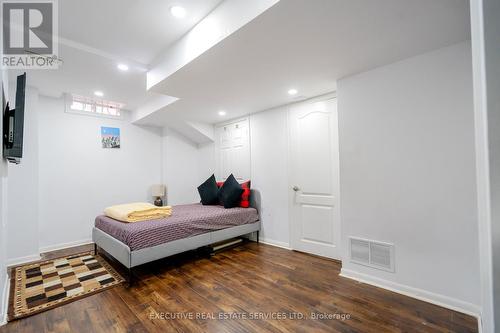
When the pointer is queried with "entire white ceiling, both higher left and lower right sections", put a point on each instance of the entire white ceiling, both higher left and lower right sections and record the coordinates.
(302, 44)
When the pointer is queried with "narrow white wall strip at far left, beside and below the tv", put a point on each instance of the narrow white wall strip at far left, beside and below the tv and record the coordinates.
(23, 213)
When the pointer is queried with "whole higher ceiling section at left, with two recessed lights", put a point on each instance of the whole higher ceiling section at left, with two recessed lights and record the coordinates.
(95, 35)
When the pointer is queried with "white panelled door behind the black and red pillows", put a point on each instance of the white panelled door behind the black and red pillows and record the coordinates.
(233, 150)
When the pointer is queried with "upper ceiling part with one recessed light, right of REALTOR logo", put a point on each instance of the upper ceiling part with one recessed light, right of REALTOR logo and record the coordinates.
(135, 29)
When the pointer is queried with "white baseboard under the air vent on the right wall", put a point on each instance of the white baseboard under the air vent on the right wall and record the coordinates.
(420, 294)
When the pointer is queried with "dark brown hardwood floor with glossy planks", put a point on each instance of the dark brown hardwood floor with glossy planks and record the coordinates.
(250, 280)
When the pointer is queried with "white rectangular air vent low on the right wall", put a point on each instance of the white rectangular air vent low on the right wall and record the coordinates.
(372, 253)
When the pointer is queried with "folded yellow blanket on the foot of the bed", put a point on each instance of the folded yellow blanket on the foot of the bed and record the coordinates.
(137, 211)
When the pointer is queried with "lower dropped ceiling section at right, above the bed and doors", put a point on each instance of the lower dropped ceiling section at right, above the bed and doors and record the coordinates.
(307, 45)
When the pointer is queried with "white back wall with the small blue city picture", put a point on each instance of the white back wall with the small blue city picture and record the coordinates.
(78, 178)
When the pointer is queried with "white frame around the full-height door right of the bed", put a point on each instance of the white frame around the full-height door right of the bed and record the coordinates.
(291, 193)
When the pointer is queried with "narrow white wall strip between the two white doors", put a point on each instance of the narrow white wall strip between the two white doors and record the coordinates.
(269, 170)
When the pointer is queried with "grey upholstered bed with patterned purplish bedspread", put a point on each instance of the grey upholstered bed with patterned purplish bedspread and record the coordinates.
(190, 227)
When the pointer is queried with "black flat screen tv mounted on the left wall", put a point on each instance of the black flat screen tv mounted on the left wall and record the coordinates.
(13, 124)
